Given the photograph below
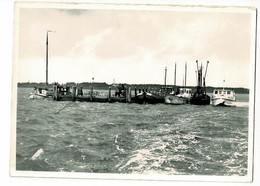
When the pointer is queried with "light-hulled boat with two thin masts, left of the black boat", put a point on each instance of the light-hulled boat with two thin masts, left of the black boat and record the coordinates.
(181, 95)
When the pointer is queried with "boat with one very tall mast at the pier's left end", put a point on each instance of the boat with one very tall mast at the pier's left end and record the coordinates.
(43, 92)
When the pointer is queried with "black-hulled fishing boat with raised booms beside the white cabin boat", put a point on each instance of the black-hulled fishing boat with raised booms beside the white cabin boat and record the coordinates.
(200, 96)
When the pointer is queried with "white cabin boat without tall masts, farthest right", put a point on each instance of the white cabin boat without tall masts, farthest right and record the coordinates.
(223, 97)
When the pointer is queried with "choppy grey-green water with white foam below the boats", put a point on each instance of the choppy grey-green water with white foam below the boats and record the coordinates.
(131, 138)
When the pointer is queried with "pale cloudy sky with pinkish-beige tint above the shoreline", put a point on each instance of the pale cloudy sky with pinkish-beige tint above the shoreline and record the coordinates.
(135, 46)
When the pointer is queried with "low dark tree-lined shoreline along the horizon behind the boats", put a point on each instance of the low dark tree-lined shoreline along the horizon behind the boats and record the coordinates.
(103, 85)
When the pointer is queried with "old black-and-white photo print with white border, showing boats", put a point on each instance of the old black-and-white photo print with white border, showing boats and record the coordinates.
(114, 91)
